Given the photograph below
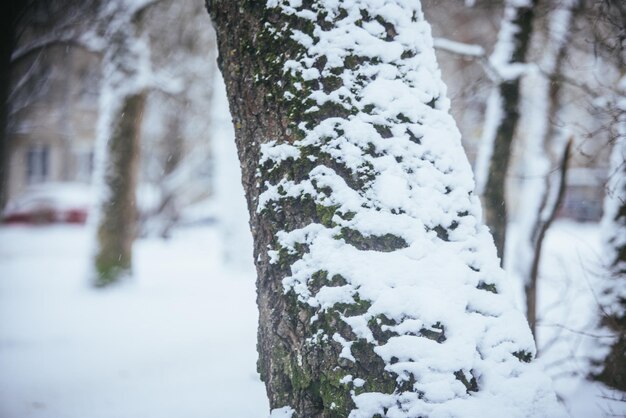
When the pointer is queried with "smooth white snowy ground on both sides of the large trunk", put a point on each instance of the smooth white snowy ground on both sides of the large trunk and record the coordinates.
(179, 340)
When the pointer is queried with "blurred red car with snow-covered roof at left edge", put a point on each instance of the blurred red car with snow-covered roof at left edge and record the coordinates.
(50, 203)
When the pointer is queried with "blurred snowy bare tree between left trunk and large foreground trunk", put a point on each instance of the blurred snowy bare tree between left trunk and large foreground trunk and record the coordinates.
(177, 135)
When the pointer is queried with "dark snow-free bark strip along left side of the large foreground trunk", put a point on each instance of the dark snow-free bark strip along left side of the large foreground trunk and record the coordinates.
(258, 115)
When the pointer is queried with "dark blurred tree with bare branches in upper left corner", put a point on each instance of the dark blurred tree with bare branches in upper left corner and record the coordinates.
(30, 28)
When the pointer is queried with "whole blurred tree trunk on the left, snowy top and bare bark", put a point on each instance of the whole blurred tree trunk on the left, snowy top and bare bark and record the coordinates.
(121, 110)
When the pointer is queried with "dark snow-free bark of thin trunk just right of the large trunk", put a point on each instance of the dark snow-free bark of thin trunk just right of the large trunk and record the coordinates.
(494, 193)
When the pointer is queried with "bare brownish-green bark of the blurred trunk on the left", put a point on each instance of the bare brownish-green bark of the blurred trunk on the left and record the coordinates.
(117, 229)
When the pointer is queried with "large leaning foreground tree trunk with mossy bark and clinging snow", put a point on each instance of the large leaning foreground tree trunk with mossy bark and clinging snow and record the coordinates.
(379, 291)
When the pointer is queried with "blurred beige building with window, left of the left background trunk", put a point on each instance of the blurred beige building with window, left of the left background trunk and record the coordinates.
(54, 113)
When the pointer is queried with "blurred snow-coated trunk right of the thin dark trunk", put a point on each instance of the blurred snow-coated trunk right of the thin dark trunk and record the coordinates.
(545, 147)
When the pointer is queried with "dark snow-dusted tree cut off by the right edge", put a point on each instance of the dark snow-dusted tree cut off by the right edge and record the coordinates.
(608, 24)
